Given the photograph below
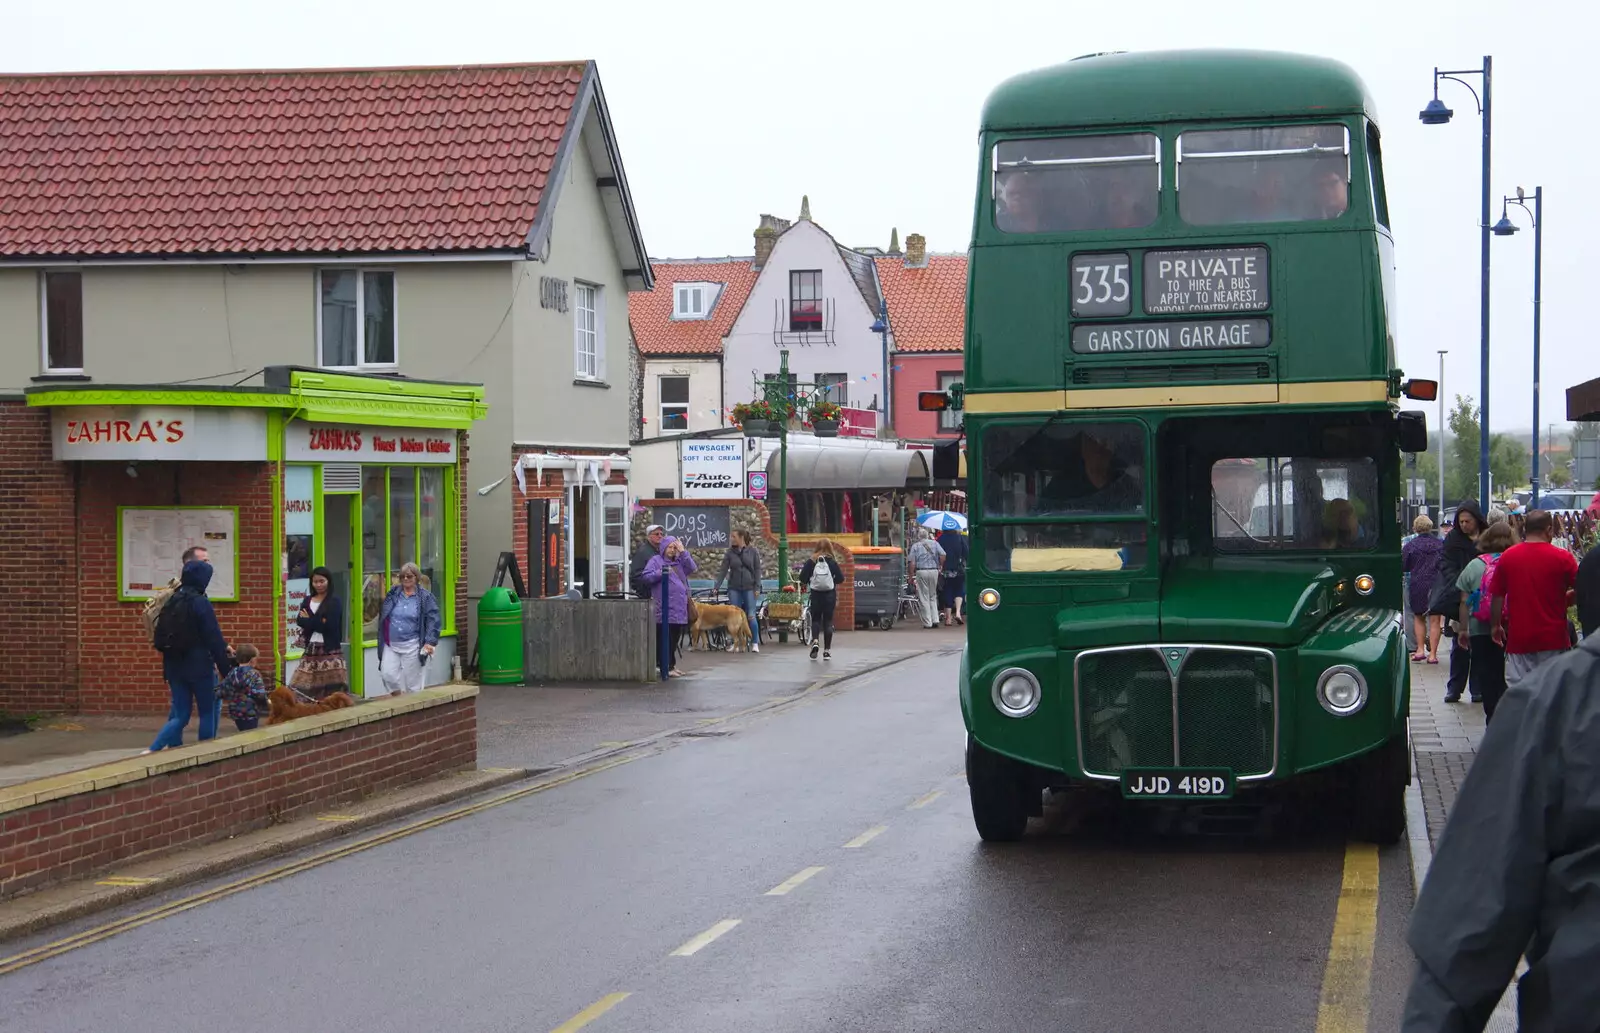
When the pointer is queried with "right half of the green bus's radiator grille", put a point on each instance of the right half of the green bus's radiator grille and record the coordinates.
(1226, 712)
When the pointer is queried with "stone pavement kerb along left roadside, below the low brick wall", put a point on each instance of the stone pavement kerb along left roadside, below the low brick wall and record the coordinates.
(39, 911)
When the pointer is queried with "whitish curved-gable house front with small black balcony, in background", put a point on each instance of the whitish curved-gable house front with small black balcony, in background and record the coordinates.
(855, 351)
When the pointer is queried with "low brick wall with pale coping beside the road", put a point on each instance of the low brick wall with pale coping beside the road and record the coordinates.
(82, 823)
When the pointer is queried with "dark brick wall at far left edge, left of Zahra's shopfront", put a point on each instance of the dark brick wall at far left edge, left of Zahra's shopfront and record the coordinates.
(39, 565)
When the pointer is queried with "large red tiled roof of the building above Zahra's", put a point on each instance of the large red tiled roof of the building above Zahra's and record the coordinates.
(279, 162)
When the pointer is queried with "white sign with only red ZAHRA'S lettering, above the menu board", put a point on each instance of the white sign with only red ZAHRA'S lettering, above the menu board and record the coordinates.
(148, 434)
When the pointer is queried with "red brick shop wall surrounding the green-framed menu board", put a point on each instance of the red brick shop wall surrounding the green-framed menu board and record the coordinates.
(121, 671)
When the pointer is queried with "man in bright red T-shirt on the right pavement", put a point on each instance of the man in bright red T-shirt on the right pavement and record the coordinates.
(1534, 588)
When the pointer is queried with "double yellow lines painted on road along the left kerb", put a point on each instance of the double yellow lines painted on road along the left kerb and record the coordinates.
(273, 875)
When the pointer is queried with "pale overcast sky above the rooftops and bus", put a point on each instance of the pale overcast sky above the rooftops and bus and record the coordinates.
(726, 111)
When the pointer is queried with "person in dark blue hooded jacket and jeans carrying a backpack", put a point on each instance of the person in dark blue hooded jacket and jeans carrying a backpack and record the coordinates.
(194, 656)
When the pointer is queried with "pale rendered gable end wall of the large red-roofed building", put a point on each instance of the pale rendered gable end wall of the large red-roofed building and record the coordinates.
(553, 409)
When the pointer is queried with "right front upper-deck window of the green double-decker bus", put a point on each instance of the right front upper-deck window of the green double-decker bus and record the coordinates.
(1265, 175)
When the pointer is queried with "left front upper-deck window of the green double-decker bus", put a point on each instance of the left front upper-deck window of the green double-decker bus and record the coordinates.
(1078, 183)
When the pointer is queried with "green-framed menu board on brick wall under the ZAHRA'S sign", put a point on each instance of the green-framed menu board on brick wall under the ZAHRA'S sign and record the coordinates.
(151, 548)
